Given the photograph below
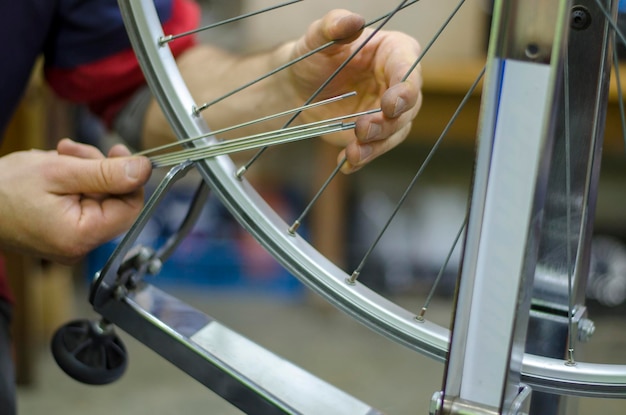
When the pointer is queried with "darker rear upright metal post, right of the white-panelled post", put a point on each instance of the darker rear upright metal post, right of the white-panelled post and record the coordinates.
(580, 128)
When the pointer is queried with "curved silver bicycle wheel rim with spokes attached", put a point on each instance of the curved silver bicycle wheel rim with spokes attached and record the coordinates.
(303, 260)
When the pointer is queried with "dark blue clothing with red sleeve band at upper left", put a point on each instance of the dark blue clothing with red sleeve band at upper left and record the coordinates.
(83, 43)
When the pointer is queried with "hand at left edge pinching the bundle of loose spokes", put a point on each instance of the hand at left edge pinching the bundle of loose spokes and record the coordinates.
(61, 204)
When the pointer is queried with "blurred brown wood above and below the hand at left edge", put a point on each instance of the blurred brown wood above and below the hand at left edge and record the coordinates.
(42, 290)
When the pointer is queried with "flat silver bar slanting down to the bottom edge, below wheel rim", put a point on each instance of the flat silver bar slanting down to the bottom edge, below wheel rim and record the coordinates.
(245, 374)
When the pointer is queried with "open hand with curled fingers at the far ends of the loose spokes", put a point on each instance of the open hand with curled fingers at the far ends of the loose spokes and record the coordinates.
(376, 75)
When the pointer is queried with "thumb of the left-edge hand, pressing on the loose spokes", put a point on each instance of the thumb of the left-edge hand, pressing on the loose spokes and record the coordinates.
(115, 175)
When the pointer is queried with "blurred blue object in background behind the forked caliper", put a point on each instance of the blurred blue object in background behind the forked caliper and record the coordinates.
(216, 256)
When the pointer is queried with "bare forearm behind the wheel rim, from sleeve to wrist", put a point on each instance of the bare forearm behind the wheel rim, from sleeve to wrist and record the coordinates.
(210, 73)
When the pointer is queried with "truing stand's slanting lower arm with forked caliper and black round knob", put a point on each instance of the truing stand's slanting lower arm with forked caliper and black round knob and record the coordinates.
(248, 376)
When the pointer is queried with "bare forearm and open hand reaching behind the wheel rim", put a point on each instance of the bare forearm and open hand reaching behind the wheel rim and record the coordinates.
(376, 76)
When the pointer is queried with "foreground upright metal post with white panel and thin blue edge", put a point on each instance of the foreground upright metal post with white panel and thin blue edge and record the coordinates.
(515, 142)
